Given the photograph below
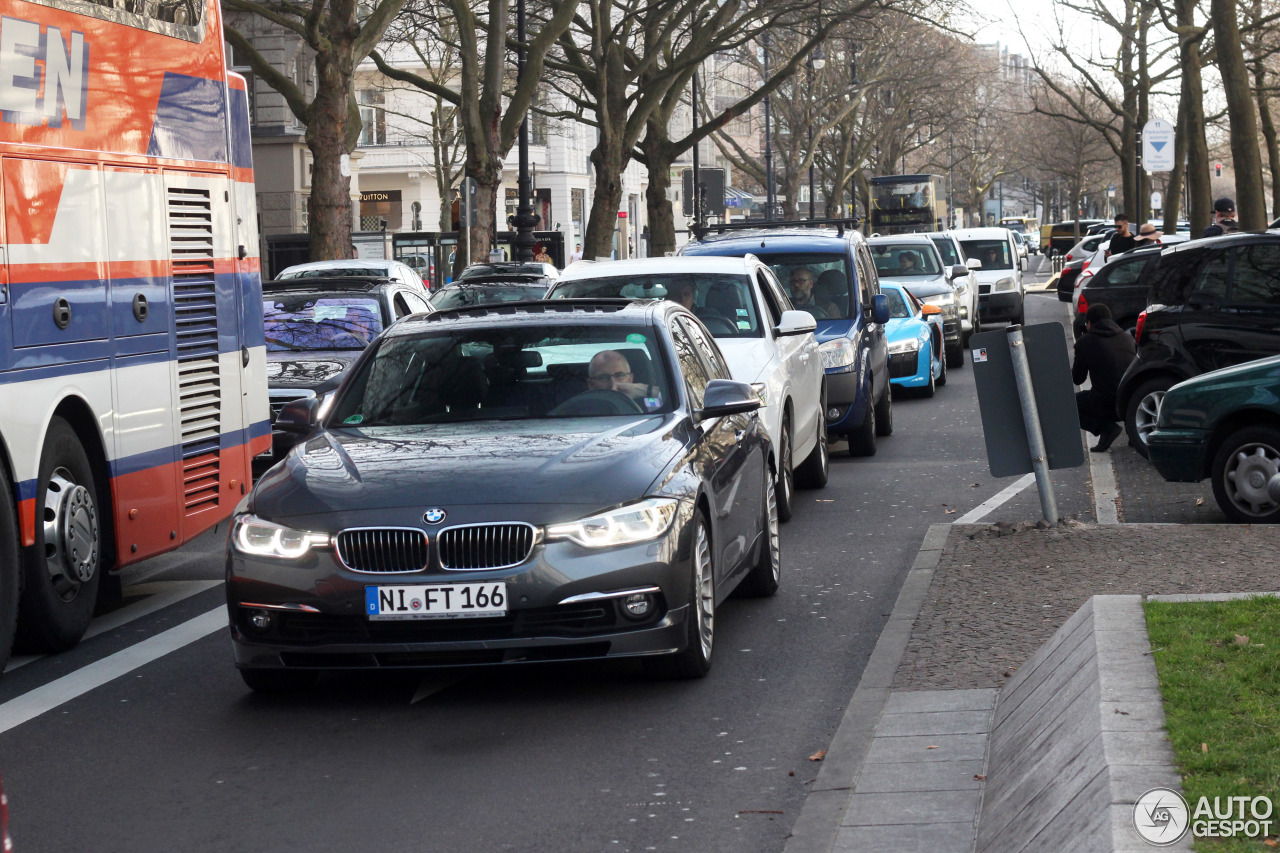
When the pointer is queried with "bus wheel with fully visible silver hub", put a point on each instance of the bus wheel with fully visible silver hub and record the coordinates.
(62, 572)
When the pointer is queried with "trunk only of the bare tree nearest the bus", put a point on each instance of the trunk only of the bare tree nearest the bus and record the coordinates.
(330, 206)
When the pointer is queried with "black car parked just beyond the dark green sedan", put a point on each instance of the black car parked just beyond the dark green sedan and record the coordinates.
(1210, 304)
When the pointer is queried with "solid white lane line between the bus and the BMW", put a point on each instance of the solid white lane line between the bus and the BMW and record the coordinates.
(45, 699)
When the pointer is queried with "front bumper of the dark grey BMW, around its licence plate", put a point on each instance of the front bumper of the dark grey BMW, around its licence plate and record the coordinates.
(333, 632)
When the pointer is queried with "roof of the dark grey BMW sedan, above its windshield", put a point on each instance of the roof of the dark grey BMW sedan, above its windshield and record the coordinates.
(543, 312)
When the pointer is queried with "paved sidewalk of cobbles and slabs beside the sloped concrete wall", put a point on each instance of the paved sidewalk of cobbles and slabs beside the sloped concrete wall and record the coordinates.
(907, 769)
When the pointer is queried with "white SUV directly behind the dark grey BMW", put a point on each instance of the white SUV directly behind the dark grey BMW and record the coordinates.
(765, 341)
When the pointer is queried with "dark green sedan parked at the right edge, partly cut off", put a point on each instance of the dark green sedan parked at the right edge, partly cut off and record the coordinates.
(1226, 426)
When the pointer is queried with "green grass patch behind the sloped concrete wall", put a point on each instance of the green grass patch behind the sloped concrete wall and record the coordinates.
(1219, 667)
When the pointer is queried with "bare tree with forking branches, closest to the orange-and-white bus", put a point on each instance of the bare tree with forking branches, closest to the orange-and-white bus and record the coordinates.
(341, 34)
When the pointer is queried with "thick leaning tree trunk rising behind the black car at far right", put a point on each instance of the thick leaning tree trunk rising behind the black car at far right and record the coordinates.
(1250, 200)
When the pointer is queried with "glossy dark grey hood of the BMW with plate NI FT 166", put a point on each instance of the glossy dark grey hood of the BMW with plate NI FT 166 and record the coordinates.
(588, 462)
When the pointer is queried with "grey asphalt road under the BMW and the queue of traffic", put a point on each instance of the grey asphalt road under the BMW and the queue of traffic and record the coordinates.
(144, 737)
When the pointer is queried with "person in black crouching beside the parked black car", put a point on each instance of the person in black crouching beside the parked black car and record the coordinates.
(1103, 354)
